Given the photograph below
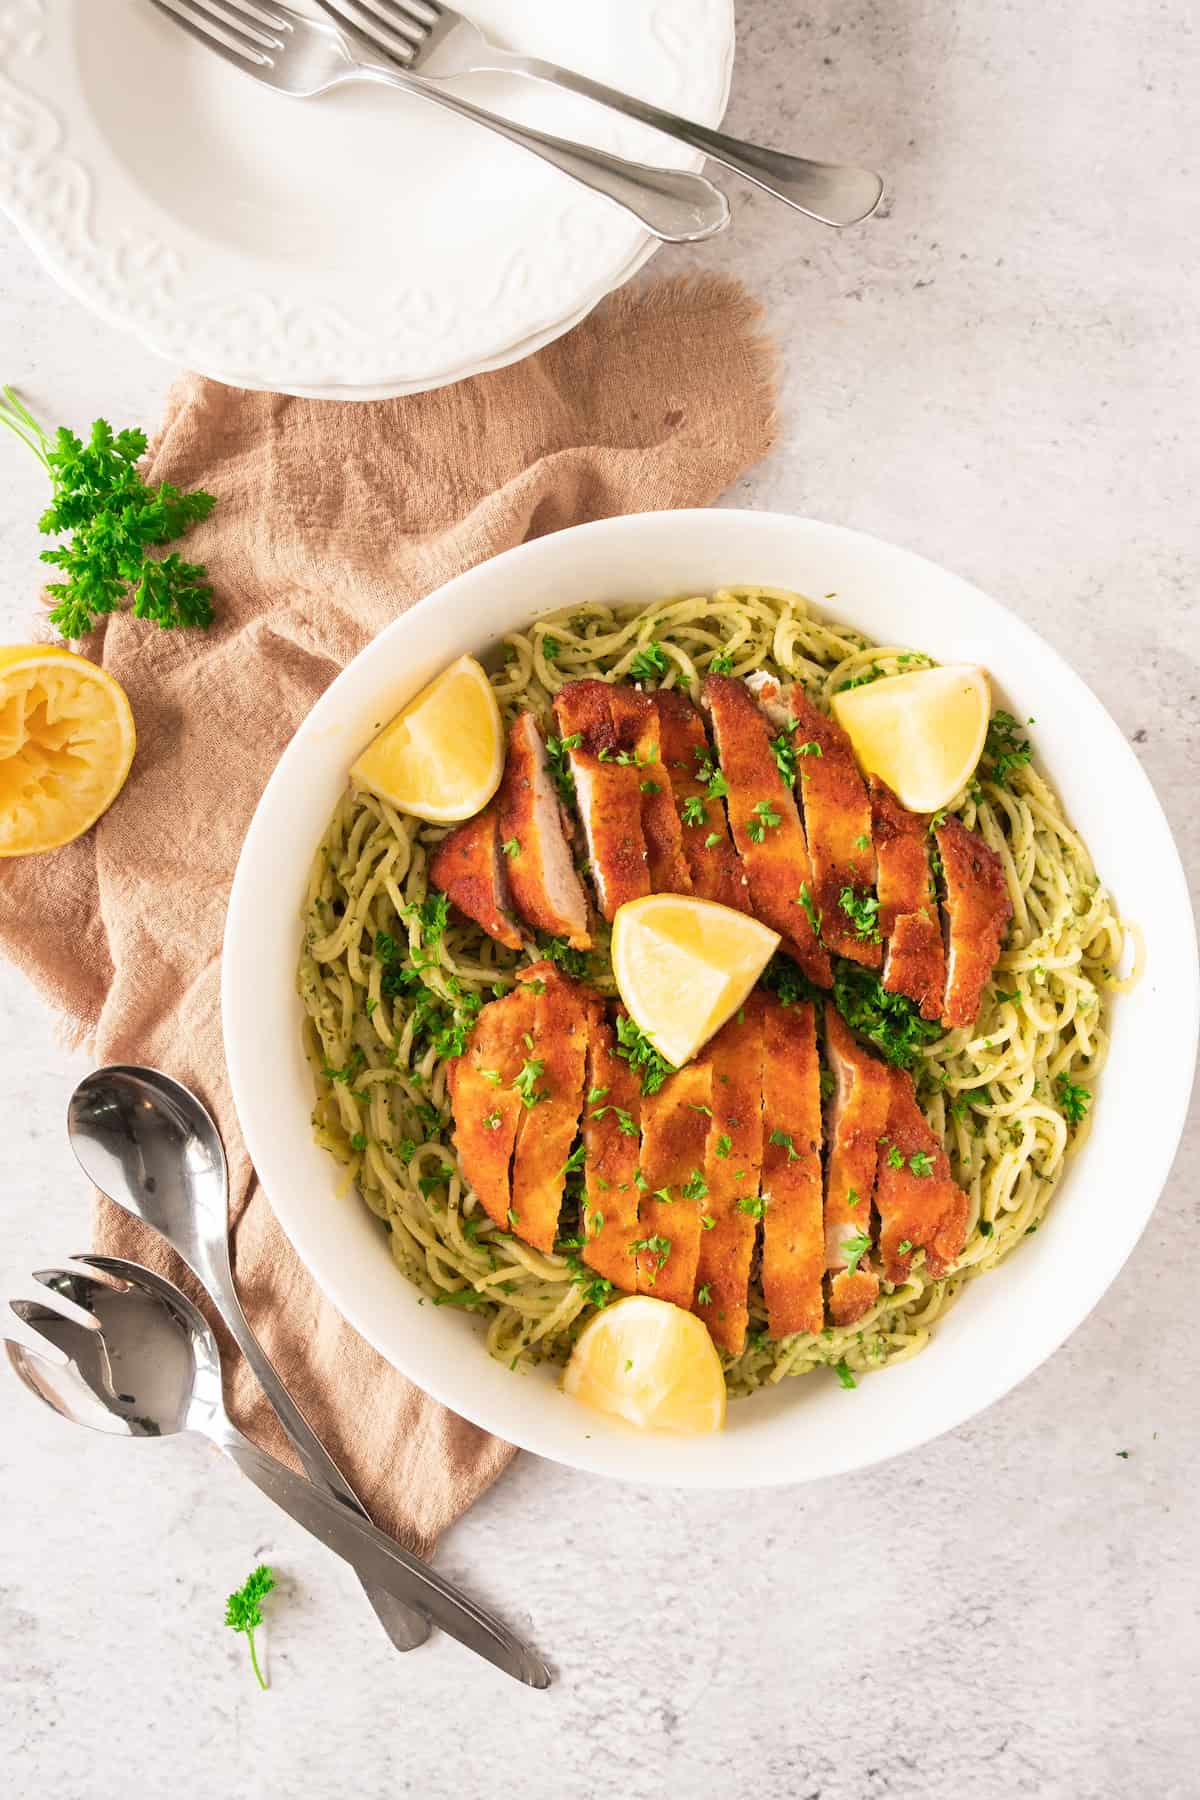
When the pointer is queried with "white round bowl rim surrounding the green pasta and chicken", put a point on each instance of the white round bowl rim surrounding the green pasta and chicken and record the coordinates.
(1010, 1320)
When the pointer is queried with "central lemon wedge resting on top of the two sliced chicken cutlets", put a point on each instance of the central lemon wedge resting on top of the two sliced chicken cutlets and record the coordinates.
(685, 967)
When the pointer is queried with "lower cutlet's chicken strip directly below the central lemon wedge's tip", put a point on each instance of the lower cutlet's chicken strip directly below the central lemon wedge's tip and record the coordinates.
(668, 1225)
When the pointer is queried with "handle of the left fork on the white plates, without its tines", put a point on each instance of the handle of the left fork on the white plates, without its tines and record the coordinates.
(674, 204)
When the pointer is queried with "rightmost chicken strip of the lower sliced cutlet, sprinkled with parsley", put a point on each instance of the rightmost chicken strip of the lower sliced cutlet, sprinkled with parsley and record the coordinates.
(920, 1207)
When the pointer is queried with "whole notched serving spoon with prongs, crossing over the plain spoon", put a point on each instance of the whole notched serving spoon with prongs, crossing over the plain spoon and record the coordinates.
(143, 1363)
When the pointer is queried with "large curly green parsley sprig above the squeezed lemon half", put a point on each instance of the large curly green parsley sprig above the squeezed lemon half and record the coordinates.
(111, 519)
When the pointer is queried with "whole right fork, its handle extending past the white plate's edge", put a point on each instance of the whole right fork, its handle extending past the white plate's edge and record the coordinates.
(431, 39)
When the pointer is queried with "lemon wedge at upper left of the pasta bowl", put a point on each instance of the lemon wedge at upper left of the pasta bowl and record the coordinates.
(442, 757)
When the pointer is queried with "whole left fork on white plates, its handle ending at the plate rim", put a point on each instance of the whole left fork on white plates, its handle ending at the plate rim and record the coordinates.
(305, 57)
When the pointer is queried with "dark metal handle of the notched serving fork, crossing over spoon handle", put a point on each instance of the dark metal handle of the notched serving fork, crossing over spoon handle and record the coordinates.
(382, 1563)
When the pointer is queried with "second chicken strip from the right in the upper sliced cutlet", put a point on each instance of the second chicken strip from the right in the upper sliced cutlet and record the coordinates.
(909, 921)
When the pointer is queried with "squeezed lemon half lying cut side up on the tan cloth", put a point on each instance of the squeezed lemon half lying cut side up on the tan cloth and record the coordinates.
(66, 746)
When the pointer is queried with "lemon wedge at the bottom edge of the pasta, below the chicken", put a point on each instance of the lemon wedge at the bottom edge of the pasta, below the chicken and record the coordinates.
(652, 1363)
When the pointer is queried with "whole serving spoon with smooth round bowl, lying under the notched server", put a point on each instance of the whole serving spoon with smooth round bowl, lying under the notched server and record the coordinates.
(152, 1147)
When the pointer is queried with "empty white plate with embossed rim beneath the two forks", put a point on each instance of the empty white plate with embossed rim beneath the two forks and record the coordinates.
(361, 244)
